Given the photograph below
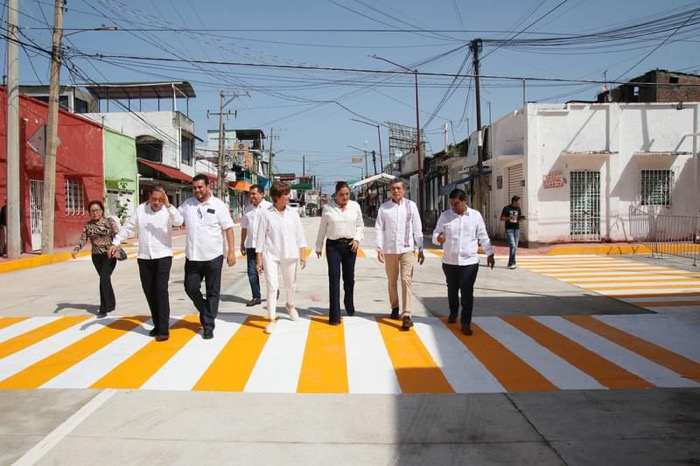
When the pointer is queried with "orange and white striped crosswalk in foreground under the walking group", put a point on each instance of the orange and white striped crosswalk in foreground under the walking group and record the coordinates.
(365, 355)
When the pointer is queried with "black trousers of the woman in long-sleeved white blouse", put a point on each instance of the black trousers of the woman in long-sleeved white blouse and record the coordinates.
(340, 257)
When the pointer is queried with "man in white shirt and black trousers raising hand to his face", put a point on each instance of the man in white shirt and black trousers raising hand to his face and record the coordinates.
(154, 220)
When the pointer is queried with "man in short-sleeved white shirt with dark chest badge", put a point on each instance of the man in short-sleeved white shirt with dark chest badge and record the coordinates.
(208, 221)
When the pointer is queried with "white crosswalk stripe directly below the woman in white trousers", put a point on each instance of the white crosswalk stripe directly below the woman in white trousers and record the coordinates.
(279, 364)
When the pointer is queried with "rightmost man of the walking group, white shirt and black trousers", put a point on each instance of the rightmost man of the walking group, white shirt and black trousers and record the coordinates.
(460, 231)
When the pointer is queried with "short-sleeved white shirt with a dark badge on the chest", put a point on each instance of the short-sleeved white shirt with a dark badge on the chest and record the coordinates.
(206, 223)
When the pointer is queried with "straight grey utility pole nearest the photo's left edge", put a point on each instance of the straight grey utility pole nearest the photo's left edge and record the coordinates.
(14, 243)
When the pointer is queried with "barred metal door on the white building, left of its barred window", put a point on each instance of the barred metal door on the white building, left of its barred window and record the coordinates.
(584, 206)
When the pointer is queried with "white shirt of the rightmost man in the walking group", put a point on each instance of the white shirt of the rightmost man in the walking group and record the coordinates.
(463, 235)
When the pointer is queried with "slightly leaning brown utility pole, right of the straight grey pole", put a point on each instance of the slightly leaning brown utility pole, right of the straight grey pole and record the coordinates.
(47, 208)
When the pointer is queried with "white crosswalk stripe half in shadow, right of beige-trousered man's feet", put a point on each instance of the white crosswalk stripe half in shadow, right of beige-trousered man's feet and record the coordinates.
(463, 370)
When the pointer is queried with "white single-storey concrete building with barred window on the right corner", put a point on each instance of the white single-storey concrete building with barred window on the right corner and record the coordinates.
(580, 166)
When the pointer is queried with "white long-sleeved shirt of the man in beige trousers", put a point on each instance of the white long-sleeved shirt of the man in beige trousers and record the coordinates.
(398, 227)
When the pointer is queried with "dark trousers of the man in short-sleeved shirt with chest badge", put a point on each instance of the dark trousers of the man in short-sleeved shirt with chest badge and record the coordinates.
(210, 272)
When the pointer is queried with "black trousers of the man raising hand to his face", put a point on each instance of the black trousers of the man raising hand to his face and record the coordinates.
(155, 274)
